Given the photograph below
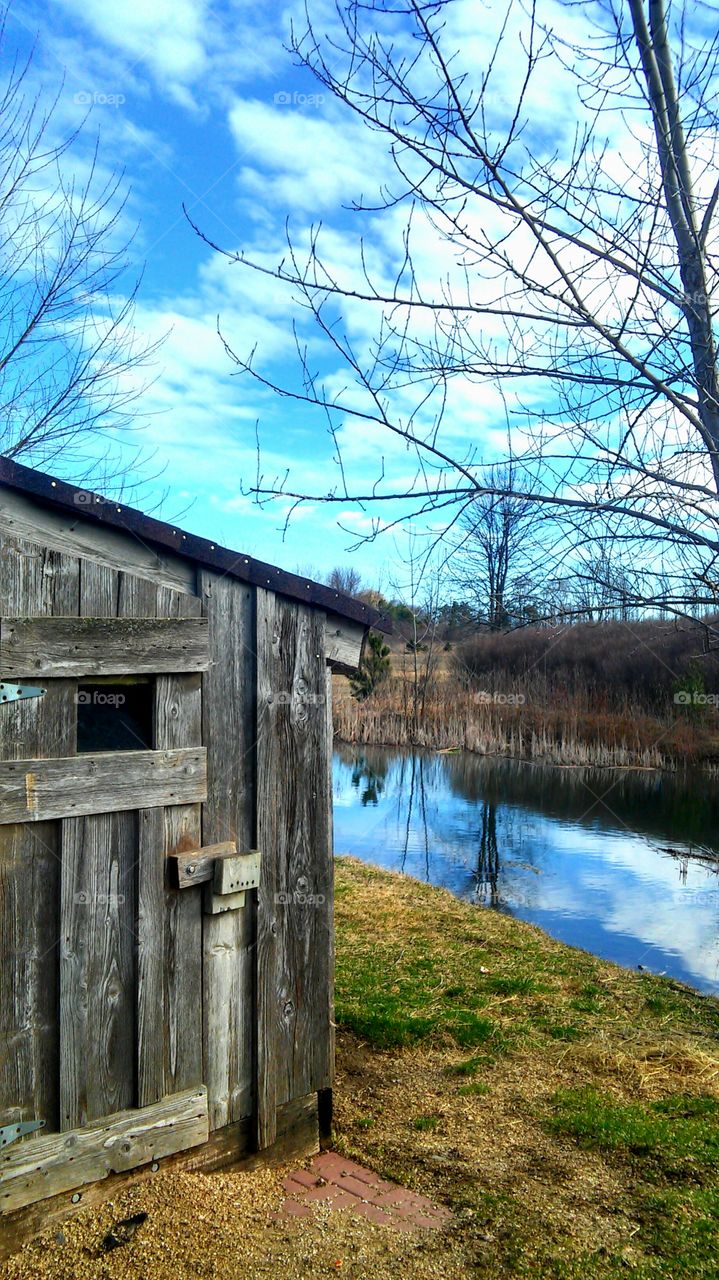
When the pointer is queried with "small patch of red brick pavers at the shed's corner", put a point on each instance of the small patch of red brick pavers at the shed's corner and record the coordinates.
(345, 1186)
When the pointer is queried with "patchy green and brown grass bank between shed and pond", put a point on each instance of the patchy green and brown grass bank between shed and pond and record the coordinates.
(565, 1109)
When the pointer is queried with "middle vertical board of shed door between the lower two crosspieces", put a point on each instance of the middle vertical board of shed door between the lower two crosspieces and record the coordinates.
(98, 967)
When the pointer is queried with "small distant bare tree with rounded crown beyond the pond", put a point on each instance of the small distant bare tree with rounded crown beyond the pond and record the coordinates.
(497, 541)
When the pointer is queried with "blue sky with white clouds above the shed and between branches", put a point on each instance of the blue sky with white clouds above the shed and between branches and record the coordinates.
(201, 104)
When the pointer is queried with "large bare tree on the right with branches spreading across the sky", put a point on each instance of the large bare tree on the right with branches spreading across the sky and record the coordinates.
(578, 272)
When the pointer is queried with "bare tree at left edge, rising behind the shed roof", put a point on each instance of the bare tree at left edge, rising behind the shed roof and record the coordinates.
(71, 364)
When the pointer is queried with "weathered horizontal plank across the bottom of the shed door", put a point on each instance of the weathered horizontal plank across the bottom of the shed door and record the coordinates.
(47, 1167)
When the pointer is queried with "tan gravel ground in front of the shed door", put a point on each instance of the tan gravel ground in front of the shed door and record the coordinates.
(221, 1226)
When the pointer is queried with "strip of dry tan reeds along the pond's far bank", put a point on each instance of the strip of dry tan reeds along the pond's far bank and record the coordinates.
(525, 721)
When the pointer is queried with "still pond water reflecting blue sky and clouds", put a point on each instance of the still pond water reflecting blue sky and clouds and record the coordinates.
(608, 861)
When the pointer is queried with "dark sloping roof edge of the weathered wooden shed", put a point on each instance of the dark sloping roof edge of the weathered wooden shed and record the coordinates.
(90, 506)
